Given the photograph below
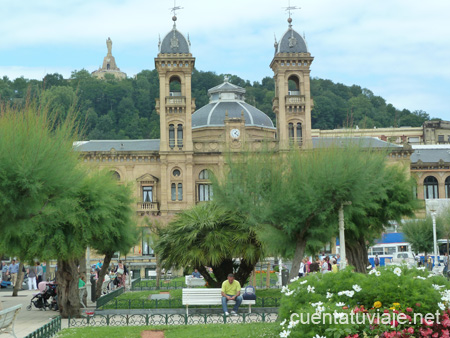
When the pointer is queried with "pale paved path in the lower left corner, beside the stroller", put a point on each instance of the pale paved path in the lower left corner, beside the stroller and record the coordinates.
(27, 321)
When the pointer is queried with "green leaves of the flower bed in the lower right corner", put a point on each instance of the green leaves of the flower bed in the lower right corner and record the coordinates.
(412, 289)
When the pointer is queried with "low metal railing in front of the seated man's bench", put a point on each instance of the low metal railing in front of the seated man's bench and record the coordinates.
(170, 319)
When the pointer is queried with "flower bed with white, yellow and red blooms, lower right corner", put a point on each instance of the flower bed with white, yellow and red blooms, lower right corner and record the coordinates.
(389, 302)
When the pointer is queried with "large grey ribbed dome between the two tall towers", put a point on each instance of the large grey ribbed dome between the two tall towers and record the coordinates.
(227, 101)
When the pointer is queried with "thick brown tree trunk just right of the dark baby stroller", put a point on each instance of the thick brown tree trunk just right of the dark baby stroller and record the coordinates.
(68, 294)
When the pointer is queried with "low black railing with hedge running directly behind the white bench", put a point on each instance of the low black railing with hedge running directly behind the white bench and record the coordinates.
(174, 303)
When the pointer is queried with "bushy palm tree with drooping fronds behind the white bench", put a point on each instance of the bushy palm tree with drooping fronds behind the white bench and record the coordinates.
(208, 235)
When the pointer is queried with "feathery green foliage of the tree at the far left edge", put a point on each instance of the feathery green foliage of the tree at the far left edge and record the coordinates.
(38, 172)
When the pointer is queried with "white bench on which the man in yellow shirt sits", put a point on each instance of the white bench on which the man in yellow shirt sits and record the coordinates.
(209, 297)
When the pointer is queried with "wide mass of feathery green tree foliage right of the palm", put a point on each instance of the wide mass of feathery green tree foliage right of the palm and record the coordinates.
(293, 198)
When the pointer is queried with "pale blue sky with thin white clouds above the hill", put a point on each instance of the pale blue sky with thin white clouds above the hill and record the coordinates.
(398, 49)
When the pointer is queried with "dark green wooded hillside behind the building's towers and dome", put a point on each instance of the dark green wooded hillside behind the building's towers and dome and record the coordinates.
(125, 109)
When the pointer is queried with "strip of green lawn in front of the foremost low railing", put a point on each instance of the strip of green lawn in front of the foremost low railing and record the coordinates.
(250, 330)
